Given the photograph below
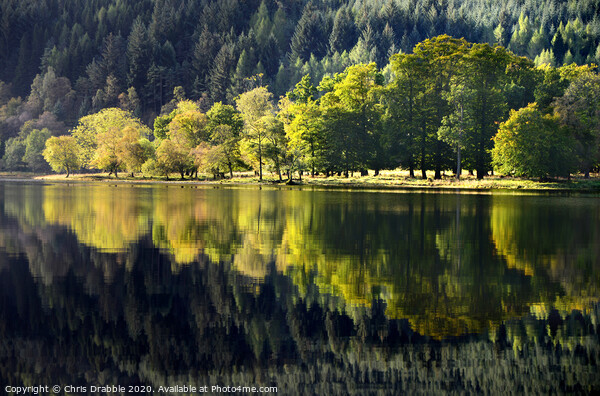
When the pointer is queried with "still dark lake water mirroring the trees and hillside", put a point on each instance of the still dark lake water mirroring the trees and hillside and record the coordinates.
(314, 292)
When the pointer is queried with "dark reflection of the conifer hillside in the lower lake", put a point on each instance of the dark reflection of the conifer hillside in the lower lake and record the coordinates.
(156, 326)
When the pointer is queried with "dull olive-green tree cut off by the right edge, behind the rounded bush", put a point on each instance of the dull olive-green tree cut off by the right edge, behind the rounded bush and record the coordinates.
(579, 110)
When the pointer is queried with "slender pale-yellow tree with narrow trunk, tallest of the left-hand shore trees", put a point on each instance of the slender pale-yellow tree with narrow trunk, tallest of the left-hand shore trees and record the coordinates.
(254, 105)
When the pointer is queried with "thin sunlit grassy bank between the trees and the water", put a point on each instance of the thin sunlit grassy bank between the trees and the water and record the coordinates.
(386, 180)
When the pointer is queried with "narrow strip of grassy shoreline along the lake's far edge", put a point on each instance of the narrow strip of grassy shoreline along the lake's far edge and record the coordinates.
(381, 183)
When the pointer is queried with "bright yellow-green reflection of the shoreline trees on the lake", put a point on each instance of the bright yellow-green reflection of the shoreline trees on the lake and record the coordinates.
(450, 264)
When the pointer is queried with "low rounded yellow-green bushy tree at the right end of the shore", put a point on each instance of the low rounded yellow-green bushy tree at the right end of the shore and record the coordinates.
(533, 144)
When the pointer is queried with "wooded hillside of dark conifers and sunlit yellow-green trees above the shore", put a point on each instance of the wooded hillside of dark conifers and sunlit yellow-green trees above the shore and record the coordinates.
(327, 87)
